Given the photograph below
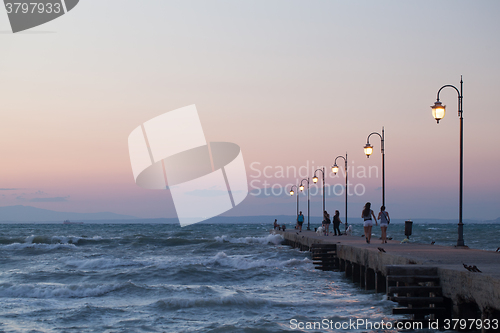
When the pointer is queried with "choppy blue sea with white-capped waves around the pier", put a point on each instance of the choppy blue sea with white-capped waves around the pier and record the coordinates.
(207, 277)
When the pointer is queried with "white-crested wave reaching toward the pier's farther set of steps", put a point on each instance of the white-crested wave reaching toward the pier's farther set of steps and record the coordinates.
(244, 263)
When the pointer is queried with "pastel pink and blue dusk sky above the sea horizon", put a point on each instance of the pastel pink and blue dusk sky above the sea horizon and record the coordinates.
(293, 83)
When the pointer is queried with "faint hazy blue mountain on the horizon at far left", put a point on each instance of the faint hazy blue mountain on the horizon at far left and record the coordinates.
(21, 213)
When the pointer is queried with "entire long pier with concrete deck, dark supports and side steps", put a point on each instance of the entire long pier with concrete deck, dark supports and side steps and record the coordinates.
(427, 281)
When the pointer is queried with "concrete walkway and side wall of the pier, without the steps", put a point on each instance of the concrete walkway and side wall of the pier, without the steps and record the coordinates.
(469, 291)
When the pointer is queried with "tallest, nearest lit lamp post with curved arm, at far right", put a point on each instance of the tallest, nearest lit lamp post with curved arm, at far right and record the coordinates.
(438, 112)
